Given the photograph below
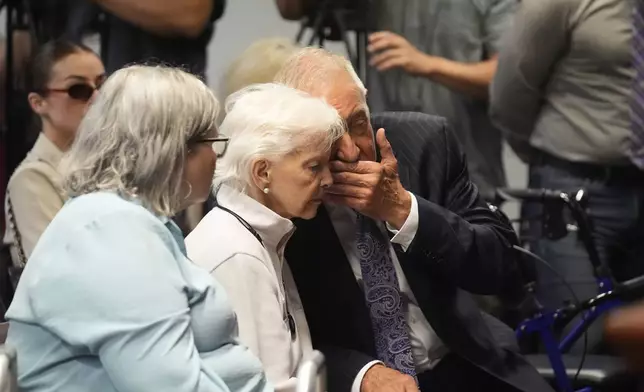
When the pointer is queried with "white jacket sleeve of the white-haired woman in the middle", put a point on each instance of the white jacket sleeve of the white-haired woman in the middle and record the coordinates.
(255, 297)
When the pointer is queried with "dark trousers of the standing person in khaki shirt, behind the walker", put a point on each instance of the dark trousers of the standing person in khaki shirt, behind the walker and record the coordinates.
(616, 202)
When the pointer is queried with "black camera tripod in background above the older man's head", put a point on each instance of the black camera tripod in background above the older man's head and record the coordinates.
(332, 20)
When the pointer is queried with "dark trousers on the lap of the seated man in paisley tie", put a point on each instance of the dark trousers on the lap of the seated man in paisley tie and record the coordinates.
(454, 374)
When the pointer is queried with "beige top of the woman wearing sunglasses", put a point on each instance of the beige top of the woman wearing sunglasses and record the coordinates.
(36, 194)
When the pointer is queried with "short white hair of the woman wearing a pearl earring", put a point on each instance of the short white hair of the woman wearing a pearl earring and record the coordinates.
(270, 121)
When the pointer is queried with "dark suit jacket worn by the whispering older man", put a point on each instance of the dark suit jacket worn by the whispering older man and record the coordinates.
(460, 245)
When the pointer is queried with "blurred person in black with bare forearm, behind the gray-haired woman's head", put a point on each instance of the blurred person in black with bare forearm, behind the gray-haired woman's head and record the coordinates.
(175, 33)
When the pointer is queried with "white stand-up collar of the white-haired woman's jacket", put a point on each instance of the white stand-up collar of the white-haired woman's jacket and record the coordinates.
(271, 227)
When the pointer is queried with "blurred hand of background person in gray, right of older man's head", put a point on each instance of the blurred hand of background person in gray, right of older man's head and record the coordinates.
(391, 51)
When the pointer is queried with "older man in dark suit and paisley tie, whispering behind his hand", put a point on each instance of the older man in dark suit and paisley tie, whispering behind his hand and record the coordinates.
(384, 269)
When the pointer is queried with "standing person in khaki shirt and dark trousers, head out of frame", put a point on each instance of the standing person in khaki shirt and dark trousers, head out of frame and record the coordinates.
(561, 96)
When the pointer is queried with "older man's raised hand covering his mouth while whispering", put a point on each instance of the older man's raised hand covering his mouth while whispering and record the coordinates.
(371, 188)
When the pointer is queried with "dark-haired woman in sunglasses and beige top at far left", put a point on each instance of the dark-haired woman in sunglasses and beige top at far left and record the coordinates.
(65, 76)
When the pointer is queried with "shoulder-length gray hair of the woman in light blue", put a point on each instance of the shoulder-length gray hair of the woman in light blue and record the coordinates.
(134, 138)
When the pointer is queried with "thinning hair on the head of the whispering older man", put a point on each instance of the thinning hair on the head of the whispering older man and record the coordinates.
(310, 68)
